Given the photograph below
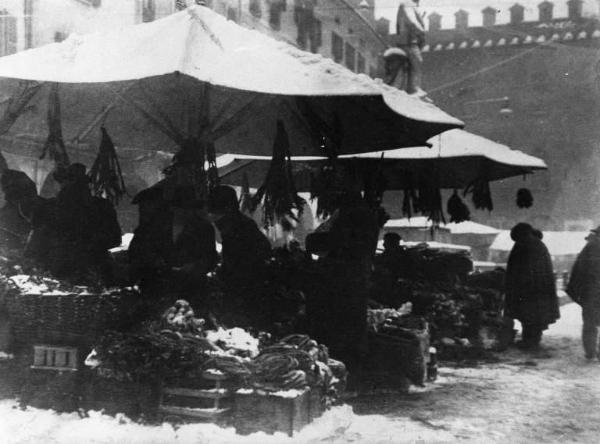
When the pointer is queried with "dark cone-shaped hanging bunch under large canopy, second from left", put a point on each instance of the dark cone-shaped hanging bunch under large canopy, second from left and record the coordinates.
(106, 177)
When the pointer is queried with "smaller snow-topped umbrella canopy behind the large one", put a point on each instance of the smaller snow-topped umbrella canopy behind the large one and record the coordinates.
(456, 158)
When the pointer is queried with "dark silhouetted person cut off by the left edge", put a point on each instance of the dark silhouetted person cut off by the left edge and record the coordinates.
(21, 200)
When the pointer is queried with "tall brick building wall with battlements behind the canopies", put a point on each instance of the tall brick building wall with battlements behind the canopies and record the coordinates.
(535, 86)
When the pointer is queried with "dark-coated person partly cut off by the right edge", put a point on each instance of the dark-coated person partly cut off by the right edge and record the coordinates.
(584, 288)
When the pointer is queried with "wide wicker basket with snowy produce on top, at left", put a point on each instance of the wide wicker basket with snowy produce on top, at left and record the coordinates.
(72, 319)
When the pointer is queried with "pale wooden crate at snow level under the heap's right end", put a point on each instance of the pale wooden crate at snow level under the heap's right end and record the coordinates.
(269, 413)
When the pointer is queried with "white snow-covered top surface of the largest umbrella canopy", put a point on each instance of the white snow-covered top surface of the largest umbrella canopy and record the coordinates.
(204, 45)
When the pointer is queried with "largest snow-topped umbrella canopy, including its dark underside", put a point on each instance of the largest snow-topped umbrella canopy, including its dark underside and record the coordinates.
(196, 76)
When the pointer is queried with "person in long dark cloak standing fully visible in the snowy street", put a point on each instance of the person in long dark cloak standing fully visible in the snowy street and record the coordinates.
(530, 288)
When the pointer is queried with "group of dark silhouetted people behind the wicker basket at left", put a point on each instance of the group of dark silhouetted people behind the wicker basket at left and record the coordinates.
(68, 235)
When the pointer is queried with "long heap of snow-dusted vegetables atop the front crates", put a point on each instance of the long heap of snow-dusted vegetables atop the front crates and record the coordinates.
(177, 346)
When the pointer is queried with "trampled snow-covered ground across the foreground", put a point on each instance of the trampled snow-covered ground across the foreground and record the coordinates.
(549, 396)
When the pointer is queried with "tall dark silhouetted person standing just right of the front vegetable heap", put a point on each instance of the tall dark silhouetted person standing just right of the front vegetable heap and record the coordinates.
(337, 307)
